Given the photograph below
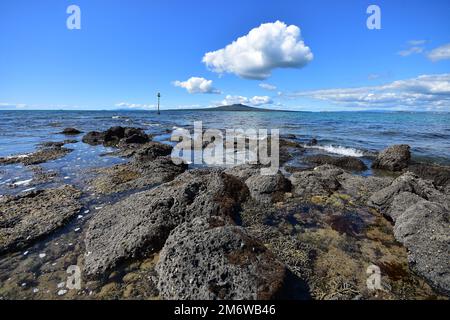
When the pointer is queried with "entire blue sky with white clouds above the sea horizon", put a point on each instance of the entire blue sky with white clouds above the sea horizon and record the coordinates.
(293, 55)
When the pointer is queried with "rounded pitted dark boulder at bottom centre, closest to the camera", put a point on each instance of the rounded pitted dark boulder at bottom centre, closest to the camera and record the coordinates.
(208, 259)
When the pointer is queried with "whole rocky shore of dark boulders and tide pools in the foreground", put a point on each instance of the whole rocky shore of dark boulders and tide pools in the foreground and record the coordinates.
(156, 230)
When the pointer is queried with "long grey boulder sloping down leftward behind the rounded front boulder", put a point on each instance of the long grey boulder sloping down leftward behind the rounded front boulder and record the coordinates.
(142, 222)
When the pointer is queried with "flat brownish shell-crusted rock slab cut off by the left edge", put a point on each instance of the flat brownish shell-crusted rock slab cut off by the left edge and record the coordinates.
(27, 217)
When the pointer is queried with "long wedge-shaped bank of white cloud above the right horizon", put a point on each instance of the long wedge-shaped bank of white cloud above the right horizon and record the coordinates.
(425, 92)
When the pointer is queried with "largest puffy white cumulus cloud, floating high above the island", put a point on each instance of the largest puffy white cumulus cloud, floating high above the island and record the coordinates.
(255, 55)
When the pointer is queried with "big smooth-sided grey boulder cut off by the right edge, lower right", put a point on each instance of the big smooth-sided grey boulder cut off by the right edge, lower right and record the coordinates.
(423, 229)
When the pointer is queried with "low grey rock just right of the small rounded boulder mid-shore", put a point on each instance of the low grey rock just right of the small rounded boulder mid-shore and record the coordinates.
(320, 181)
